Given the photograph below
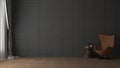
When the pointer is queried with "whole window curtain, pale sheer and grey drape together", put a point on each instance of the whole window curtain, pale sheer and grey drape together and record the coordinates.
(4, 26)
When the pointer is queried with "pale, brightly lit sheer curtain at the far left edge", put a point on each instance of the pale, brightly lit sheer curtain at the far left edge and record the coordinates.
(2, 30)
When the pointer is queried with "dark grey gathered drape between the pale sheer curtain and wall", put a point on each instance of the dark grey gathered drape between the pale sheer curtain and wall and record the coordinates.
(9, 28)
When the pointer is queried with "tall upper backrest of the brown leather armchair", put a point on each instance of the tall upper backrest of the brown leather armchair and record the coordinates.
(106, 40)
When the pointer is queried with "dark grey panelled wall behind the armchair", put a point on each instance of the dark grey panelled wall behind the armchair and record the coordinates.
(58, 27)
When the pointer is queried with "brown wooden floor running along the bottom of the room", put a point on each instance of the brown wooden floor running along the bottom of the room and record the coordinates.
(66, 62)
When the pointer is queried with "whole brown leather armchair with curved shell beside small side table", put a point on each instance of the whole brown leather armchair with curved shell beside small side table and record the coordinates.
(107, 44)
